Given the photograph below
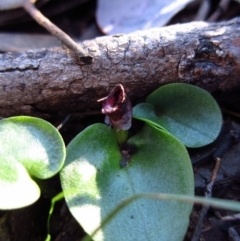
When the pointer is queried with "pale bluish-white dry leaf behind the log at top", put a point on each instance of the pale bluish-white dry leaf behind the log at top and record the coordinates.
(125, 16)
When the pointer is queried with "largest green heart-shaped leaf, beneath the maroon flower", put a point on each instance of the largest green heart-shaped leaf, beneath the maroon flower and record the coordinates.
(94, 184)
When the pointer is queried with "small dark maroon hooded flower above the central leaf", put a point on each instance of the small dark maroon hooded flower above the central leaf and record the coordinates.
(118, 109)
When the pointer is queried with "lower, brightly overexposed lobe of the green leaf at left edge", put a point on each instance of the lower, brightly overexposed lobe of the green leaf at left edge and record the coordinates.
(16, 187)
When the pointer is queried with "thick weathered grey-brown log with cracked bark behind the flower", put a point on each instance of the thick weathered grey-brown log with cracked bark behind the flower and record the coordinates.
(49, 80)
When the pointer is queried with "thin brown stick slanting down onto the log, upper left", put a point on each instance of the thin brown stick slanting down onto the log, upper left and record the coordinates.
(58, 33)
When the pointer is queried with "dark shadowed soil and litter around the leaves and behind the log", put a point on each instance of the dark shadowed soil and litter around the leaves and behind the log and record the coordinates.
(29, 224)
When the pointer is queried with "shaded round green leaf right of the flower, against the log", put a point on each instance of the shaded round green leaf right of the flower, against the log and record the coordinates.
(186, 111)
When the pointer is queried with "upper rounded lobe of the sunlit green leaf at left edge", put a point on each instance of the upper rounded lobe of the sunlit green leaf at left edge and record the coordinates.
(33, 142)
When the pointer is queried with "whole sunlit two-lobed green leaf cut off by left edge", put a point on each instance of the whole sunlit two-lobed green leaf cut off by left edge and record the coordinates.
(28, 147)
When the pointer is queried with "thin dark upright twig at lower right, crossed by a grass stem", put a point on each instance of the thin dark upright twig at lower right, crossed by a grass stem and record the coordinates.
(208, 194)
